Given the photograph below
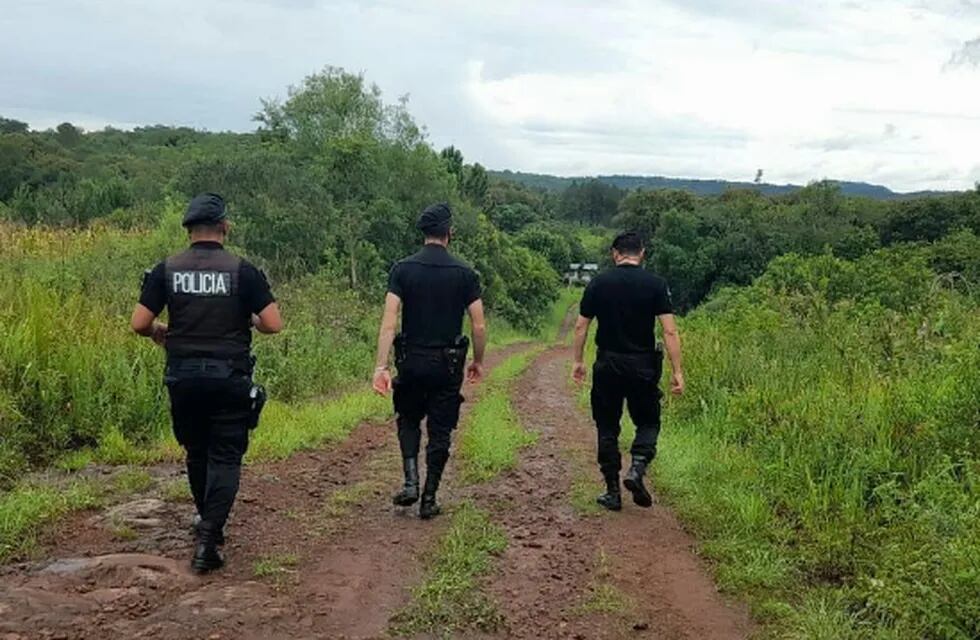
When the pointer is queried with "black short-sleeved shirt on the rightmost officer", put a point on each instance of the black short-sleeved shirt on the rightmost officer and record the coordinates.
(626, 301)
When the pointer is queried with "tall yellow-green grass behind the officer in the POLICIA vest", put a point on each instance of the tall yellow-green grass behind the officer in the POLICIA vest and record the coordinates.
(72, 374)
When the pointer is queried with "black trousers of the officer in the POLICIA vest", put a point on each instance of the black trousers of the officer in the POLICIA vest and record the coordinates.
(210, 420)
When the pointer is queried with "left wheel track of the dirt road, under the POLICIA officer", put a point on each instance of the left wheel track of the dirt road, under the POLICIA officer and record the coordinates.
(315, 551)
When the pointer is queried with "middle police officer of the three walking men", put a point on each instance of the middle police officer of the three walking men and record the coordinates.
(433, 290)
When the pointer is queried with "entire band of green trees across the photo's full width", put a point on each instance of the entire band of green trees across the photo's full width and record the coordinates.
(333, 177)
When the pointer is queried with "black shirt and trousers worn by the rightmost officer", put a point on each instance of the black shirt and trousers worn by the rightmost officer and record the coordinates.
(626, 300)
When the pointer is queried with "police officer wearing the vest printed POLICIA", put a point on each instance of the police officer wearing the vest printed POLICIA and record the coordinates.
(214, 298)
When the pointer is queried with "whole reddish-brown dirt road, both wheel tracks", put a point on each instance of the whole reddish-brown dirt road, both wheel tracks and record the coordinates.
(317, 551)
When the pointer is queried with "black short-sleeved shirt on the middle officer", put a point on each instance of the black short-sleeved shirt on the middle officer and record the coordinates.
(435, 289)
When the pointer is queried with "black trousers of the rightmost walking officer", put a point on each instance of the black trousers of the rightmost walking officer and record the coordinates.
(634, 378)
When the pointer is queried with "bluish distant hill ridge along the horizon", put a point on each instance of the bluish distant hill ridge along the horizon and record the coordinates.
(700, 187)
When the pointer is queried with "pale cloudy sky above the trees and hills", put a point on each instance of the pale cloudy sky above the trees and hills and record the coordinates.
(878, 91)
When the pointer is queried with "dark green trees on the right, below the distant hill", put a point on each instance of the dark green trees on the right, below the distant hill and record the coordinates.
(703, 243)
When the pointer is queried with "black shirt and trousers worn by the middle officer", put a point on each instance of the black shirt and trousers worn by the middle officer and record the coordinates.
(435, 289)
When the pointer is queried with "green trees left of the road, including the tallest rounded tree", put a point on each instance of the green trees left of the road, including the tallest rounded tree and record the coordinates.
(330, 183)
